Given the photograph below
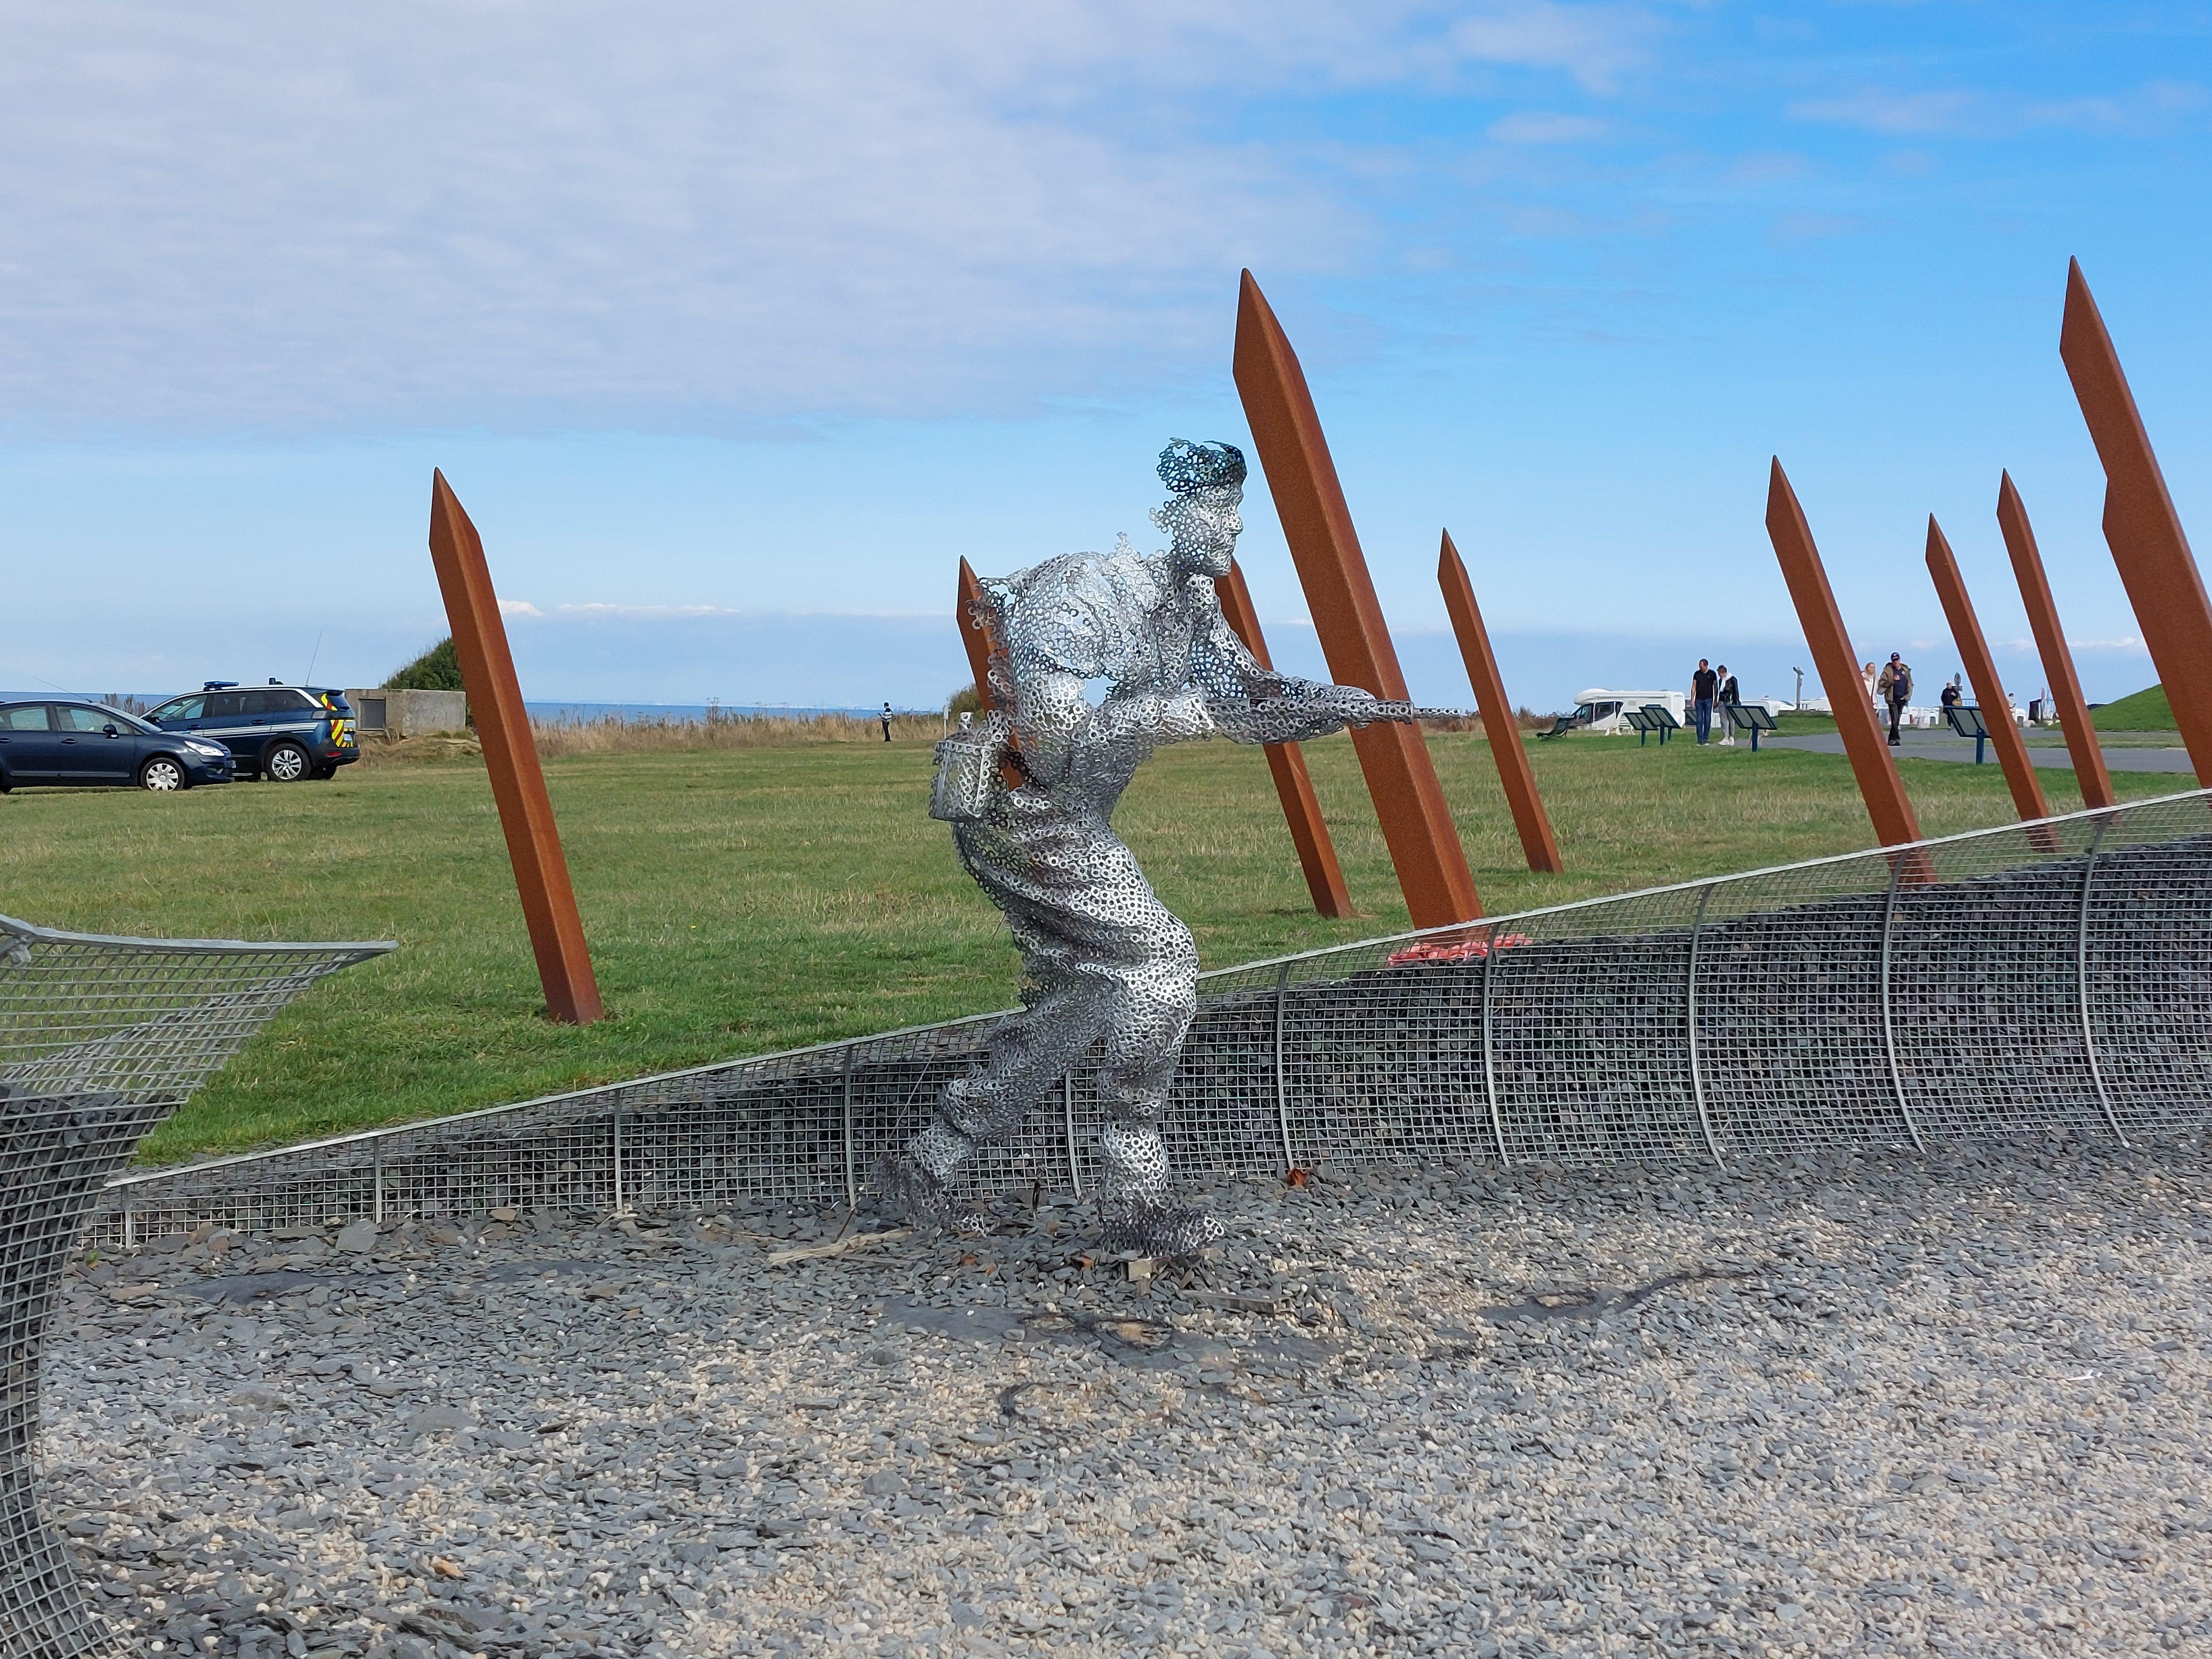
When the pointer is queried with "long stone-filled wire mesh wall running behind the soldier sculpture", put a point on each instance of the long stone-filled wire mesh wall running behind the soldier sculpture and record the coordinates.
(1999, 983)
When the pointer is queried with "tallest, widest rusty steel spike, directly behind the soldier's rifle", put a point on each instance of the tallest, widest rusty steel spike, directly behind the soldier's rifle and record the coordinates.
(1317, 523)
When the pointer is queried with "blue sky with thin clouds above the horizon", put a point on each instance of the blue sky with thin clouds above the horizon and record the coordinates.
(738, 326)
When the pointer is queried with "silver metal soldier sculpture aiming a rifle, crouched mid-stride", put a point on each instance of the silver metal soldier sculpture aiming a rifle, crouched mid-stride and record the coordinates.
(1103, 959)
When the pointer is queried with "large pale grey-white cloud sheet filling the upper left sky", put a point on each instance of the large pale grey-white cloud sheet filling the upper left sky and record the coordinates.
(674, 213)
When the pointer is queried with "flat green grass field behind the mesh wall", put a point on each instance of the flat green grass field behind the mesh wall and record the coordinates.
(742, 901)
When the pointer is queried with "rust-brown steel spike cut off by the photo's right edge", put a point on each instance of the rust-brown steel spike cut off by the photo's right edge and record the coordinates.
(2142, 525)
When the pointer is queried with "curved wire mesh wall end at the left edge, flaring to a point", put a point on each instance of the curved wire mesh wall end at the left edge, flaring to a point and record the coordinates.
(101, 1039)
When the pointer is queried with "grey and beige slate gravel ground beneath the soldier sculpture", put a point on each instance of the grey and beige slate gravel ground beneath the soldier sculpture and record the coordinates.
(1844, 1406)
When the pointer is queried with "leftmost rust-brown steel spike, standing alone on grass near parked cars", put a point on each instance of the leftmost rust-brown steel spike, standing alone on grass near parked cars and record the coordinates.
(488, 674)
